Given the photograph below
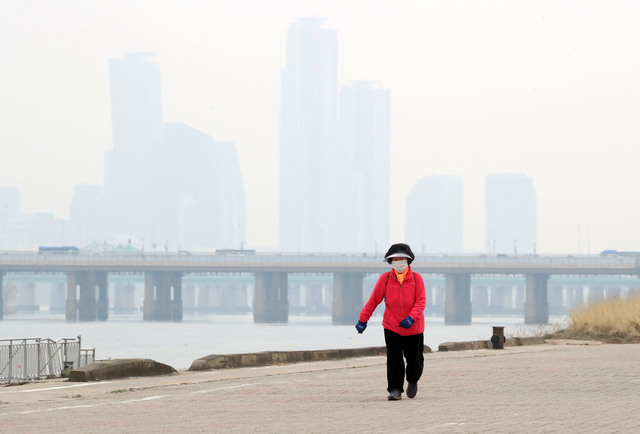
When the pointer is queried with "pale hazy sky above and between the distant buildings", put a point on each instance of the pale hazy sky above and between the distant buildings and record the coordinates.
(549, 88)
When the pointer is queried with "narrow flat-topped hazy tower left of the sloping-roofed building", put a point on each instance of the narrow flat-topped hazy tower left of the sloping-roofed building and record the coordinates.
(137, 125)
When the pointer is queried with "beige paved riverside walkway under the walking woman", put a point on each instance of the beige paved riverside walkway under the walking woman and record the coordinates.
(542, 388)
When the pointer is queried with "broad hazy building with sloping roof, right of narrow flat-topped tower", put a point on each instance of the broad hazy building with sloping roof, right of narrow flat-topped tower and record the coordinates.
(201, 190)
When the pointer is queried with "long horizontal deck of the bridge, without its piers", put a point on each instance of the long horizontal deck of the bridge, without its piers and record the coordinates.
(313, 262)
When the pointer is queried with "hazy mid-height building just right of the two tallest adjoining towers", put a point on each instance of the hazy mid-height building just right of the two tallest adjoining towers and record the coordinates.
(434, 215)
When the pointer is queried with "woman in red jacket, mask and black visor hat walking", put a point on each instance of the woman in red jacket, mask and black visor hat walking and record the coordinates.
(403, 293)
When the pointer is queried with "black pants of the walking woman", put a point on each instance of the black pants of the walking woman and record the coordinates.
(412, 348)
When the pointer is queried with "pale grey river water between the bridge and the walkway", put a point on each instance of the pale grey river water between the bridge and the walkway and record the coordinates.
(178, 344)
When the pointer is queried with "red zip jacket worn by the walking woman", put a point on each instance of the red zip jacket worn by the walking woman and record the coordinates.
(401, 301)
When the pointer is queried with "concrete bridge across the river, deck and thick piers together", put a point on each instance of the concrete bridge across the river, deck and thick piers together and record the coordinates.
(87, 275)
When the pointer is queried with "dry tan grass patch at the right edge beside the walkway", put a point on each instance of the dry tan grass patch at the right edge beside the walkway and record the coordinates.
(616, 320)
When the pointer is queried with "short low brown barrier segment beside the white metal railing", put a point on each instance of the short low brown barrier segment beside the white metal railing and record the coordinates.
(120, 368)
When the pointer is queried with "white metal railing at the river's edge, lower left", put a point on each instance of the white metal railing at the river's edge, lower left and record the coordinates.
(34, 358)
